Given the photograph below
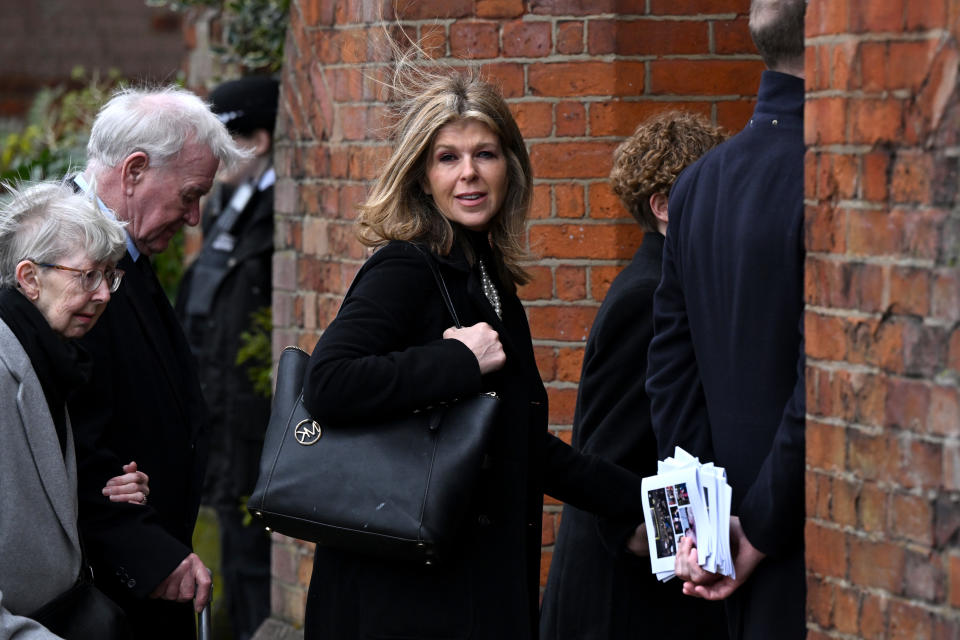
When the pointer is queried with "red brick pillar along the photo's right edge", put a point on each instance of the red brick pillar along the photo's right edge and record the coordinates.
(883, 302)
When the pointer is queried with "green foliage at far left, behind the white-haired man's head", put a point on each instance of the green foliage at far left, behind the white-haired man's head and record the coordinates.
(53, 143)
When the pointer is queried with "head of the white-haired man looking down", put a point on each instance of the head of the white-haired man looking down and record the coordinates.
(152, 154)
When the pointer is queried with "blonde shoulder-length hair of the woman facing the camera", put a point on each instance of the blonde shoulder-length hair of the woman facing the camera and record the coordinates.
(397, 207)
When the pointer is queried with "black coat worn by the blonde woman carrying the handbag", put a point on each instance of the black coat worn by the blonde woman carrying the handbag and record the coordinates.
(384, 353)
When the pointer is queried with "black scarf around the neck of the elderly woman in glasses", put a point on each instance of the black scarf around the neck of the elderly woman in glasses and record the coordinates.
(61, 365)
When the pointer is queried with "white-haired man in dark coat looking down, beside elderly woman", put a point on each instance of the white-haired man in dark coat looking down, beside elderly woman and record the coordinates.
(151, 156)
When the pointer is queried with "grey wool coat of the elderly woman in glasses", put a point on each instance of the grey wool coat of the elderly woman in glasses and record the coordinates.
(39, 545)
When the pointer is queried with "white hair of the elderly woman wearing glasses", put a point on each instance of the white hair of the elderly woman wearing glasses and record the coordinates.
(47, 221)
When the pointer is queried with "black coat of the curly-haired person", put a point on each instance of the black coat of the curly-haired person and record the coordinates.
(596, 589)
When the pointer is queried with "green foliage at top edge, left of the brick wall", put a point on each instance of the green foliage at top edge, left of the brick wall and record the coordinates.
(253, 30)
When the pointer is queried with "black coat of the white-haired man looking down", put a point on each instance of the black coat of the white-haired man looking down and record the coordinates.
(143, 403)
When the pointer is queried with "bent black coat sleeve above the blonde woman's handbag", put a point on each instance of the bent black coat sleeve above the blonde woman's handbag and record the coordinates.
(377, 357)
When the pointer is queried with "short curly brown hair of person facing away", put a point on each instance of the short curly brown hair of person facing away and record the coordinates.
(650, 160)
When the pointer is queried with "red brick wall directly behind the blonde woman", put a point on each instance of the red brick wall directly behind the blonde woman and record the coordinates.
(579, 75)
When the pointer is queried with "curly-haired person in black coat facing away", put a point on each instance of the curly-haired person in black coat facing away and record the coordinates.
(622, 598)
